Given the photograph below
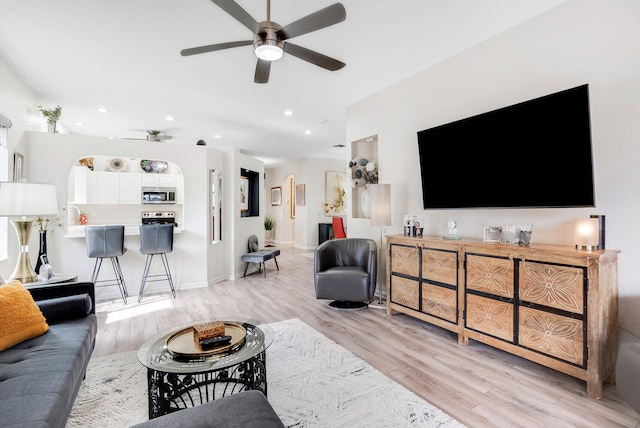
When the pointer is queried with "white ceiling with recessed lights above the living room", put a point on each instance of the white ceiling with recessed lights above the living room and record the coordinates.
(124, 55)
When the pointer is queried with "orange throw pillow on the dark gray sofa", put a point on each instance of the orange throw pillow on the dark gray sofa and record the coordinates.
(20, 317)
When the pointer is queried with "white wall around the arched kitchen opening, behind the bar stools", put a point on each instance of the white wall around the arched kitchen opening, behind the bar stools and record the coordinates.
(194, 261)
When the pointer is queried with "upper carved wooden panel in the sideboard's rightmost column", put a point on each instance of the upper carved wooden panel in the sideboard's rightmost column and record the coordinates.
(560, 287)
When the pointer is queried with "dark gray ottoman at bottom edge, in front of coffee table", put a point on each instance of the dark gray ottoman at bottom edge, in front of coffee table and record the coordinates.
(248, 409)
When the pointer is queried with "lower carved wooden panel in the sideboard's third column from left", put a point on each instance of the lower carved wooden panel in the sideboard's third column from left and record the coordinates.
(490, 316)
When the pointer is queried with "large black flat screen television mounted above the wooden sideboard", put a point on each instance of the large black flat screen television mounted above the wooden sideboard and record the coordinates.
(535, 154)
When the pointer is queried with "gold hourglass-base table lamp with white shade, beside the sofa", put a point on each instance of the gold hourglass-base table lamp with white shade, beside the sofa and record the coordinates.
(22, 202)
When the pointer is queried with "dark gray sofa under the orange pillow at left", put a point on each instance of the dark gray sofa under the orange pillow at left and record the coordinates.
(40, 377)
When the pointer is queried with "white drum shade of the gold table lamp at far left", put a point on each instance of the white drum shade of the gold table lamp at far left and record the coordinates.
(27, 199)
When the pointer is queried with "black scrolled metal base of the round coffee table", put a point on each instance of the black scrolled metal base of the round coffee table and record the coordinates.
(170, 392)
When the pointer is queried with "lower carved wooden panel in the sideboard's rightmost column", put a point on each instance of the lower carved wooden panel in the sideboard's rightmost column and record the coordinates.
(552, 334)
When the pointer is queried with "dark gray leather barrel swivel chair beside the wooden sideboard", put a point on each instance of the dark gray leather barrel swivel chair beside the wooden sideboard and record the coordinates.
(345, 272)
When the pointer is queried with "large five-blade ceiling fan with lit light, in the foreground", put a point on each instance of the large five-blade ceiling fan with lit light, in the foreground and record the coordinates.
(269, 38)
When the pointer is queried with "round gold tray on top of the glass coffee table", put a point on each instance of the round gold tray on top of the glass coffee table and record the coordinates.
(182, 345)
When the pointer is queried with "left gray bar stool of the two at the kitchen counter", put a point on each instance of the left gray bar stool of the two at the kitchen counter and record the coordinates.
(107, 242)
